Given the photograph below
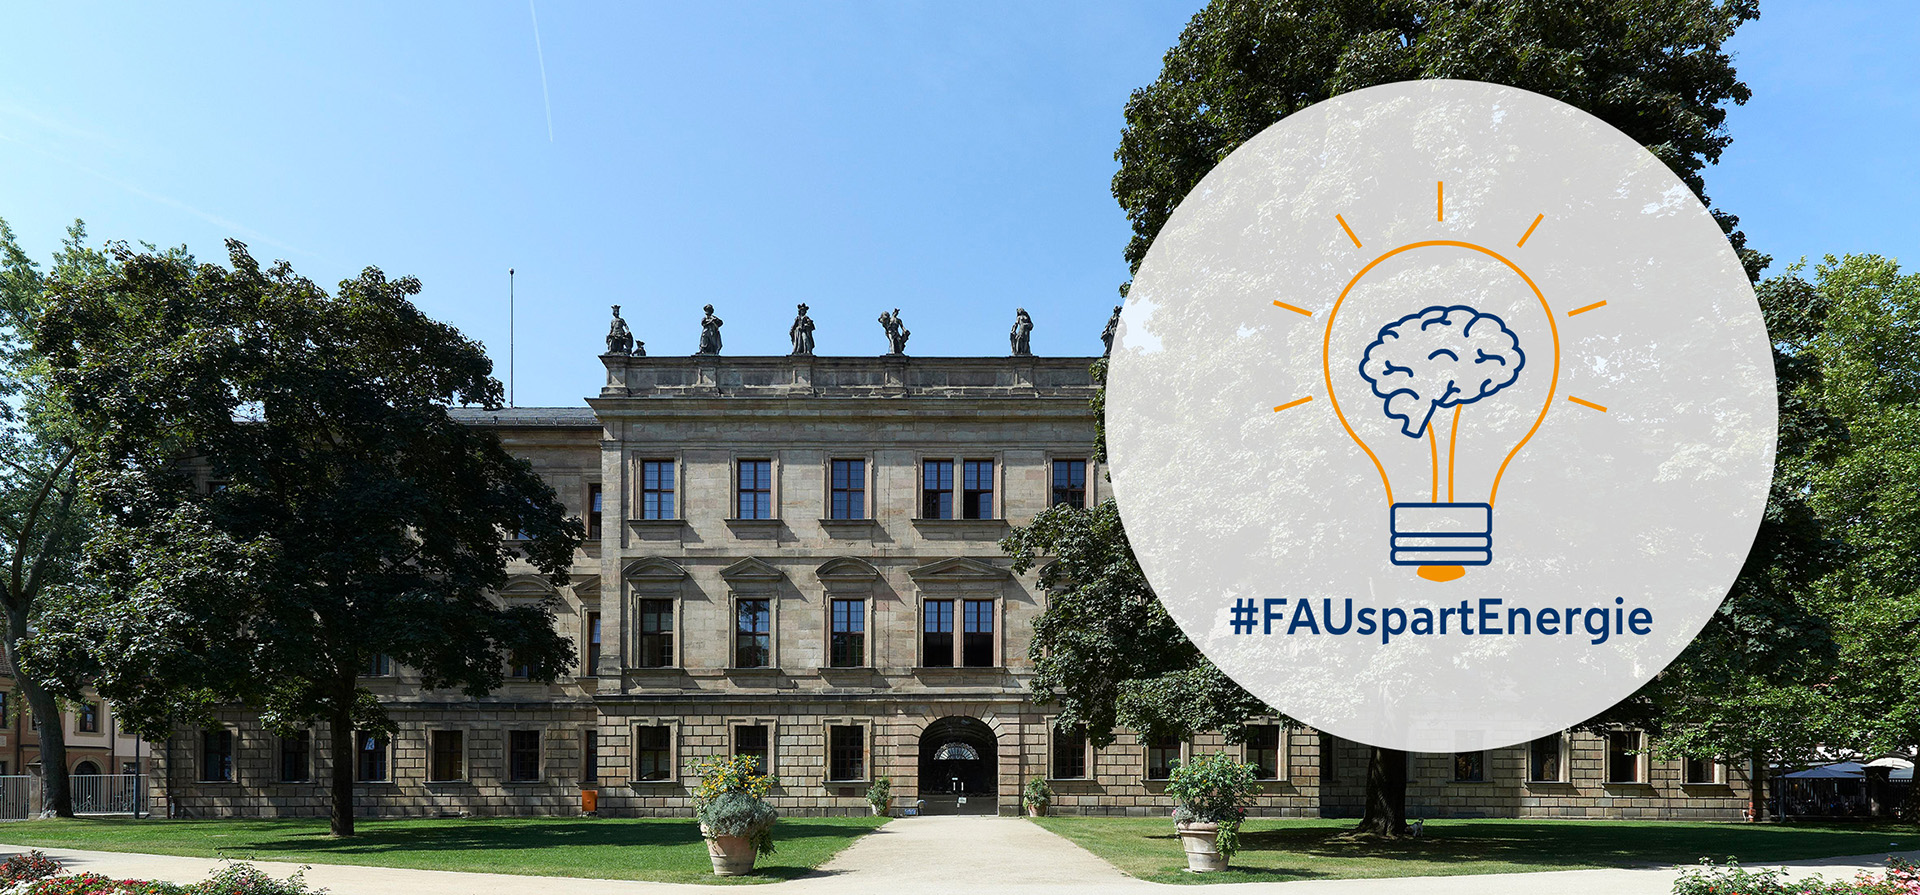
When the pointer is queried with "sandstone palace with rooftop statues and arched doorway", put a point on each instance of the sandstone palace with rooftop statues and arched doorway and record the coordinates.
(796, 558)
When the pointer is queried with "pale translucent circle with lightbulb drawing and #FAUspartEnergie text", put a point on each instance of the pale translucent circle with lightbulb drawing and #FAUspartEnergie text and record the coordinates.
(1441, 416)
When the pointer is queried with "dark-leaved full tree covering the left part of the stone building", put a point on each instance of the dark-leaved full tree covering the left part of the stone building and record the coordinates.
(354, 516)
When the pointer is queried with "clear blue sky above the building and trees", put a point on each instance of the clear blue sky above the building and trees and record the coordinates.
(946, 160)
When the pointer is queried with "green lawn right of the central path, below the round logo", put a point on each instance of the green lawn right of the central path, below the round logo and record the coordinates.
(1318, 850)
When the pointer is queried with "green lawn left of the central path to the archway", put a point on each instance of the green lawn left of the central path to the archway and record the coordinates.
(661, 850)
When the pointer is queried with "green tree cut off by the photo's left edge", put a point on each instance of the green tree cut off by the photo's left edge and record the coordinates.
(41, 520)
